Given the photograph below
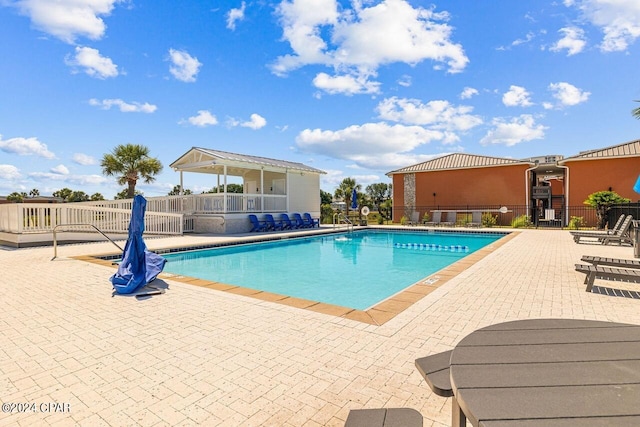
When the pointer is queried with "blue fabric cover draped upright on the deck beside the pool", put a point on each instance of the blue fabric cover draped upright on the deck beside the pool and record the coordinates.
(138, 266)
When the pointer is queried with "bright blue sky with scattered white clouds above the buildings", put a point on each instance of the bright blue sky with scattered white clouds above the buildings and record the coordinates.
(354, 88)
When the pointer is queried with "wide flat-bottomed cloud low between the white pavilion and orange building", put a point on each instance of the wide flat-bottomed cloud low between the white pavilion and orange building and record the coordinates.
(372, 145)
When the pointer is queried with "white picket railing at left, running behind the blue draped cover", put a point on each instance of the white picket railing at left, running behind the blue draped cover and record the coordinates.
(43, 217)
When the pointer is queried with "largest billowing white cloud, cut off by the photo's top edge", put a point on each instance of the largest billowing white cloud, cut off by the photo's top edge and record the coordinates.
(357, 41)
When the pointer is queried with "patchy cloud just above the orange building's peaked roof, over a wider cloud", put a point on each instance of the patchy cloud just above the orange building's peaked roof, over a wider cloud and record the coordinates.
(437, 115)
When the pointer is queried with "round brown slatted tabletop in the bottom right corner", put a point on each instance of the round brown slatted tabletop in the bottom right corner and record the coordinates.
(548, 372)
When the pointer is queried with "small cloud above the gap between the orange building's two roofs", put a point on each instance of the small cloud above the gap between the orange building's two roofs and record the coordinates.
(517, 130)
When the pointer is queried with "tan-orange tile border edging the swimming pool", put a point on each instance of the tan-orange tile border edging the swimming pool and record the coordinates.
(376, 315)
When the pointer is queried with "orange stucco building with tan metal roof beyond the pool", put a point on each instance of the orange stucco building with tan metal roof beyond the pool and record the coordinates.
(537, 184)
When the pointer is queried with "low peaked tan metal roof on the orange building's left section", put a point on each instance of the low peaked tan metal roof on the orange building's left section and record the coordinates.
(459, 161)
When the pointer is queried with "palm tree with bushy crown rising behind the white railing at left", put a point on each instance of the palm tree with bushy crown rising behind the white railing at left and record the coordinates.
(129, 163)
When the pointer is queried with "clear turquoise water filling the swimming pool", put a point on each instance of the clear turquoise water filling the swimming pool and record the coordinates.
(356, 270)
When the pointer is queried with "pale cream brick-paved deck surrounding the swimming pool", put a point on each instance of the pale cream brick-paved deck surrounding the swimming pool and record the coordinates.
(201, 356)
